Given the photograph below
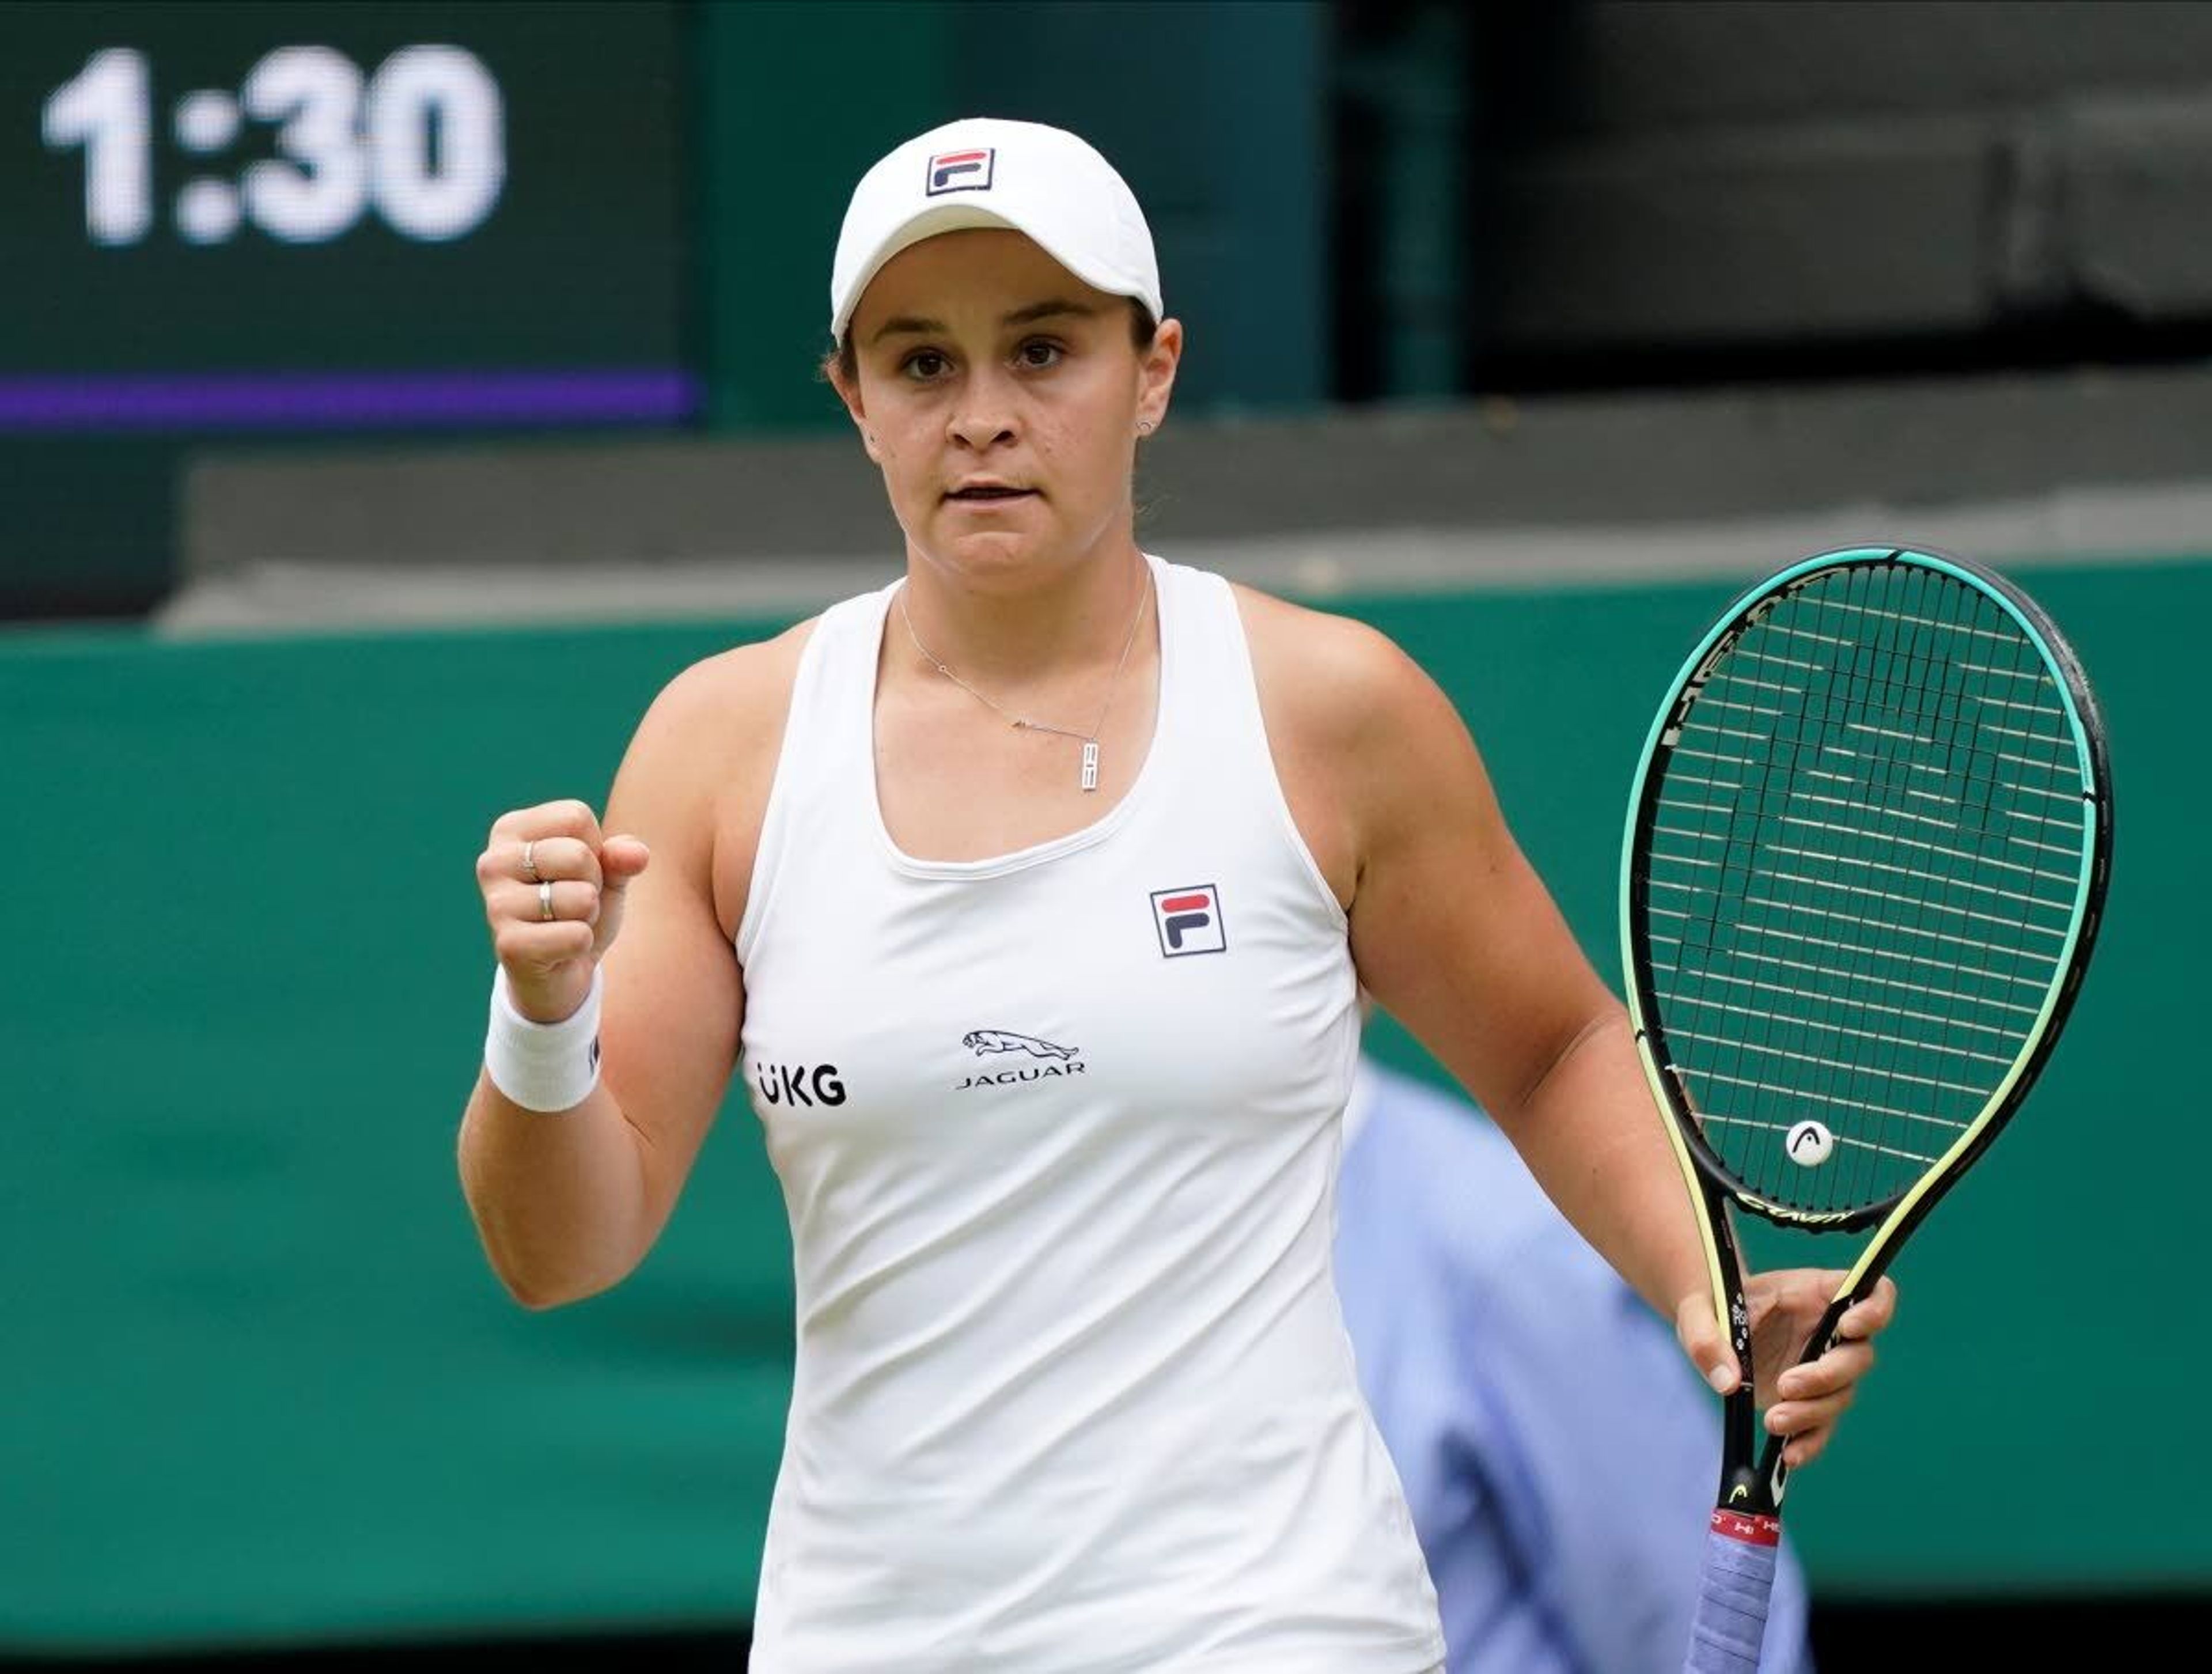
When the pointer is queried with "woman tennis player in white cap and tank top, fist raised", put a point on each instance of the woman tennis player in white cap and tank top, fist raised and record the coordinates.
(1034, 892)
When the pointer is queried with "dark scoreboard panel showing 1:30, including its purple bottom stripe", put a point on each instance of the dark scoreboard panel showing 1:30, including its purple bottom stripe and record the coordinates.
(328, 216)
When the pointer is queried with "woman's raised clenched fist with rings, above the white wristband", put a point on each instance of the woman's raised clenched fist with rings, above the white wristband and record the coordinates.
(554, 901)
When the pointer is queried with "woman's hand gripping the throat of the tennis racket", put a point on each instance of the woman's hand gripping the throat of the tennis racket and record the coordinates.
(1802, 1403)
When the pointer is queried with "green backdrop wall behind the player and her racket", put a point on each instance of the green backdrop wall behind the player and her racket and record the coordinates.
(262, 1388)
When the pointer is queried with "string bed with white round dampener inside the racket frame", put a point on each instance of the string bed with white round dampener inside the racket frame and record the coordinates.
(1861, 879)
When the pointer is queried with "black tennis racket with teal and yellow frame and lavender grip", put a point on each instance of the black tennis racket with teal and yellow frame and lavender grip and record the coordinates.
(1864, 870)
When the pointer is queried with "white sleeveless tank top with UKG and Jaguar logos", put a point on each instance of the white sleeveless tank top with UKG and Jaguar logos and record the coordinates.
(1058, 1136)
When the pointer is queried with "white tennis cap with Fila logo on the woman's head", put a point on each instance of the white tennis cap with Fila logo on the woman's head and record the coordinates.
(992, 174)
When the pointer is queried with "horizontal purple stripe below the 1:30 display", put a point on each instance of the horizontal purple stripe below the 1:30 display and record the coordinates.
(346, 401)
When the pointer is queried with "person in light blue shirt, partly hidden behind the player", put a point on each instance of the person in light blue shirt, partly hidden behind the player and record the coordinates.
(1556, 1452)
